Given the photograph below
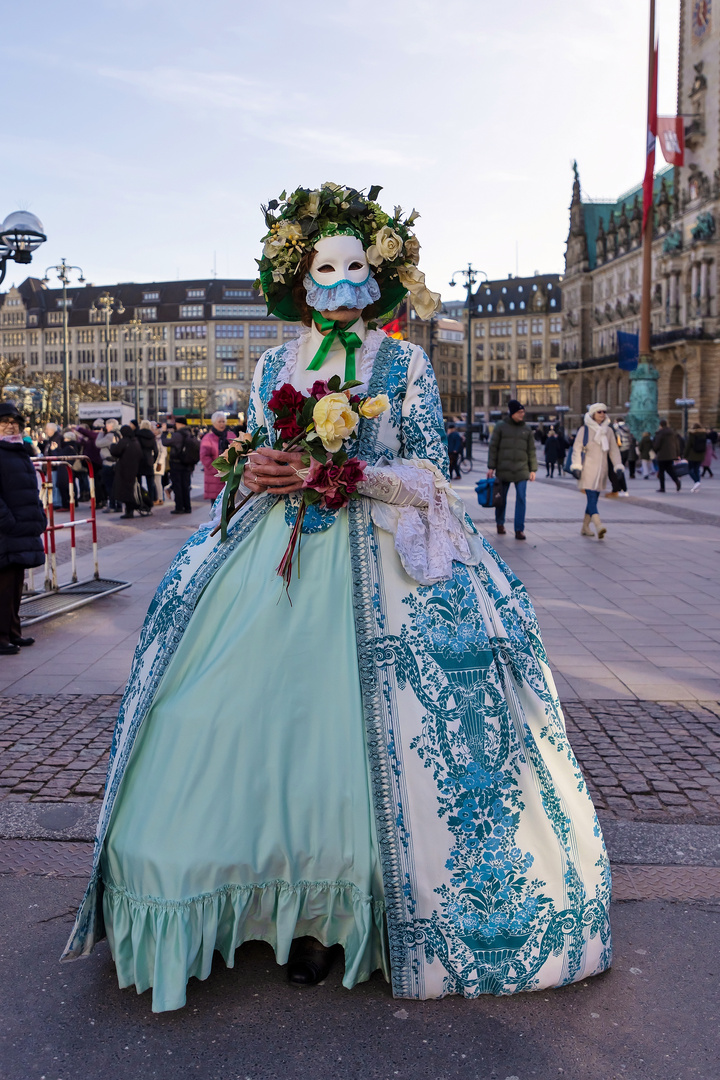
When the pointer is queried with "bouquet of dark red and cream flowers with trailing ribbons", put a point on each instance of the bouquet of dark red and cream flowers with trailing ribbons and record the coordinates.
(322, 426)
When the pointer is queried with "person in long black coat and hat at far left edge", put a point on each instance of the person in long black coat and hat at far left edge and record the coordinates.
(22, 524)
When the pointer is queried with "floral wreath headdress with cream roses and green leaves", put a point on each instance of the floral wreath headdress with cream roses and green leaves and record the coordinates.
(297, 222)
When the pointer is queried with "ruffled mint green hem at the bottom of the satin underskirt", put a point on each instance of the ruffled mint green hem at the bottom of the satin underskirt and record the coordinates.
(164, 943)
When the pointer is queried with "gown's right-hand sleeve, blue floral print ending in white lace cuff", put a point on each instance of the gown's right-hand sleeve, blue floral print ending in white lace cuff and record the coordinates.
(412, 496)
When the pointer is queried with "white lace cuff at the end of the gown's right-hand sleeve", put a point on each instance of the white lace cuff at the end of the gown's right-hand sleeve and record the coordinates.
(416, 504)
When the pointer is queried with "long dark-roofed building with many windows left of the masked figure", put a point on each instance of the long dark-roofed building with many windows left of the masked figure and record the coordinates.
(196, 349)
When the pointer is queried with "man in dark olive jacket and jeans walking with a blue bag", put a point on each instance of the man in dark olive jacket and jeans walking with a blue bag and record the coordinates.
(512, 455)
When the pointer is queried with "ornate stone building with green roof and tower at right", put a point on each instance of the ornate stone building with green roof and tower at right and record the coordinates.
(604, 261)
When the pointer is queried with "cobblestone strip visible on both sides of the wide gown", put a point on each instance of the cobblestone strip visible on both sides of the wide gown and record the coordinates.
(644, 761)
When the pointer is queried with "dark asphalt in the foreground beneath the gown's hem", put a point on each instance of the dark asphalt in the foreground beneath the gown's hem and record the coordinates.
(654, 1017)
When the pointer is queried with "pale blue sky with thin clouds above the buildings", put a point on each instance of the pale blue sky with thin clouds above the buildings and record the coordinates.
(146, 133)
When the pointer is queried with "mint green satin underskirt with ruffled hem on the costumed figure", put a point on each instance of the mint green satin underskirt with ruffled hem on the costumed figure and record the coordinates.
(247, 813)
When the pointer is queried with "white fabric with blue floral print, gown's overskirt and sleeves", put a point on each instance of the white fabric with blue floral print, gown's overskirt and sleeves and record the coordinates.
(496, 875)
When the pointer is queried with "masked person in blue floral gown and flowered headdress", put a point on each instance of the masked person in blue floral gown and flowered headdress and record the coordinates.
(393, 776)
